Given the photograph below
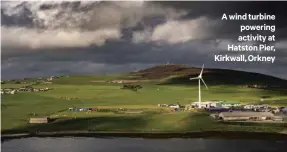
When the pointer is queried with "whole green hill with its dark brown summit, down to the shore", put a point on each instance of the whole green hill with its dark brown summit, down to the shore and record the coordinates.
(97, 92)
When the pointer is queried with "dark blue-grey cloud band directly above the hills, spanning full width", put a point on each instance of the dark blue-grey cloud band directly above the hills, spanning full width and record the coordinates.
(126, 57)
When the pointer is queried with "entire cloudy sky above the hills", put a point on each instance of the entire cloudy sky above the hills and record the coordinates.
(40, 38)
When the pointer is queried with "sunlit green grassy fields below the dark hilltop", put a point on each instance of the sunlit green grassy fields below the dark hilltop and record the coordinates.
(94, 91)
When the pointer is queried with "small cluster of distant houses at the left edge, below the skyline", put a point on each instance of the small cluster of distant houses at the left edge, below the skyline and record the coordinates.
(23, 89)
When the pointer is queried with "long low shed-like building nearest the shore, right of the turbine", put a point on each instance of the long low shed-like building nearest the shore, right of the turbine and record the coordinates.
(244, 116)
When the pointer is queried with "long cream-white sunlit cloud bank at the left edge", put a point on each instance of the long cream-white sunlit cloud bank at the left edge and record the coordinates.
(23, 38)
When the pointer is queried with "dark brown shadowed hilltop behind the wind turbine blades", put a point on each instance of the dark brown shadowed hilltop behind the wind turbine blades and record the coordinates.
(180, 74)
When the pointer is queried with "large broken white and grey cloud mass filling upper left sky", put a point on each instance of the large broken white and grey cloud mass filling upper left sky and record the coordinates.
(74, 24)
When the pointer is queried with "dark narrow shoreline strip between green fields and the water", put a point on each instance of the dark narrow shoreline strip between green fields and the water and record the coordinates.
(153, 135)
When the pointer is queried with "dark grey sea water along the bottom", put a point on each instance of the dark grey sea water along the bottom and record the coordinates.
(140, 145)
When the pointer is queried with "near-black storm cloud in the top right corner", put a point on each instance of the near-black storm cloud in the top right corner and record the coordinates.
(216, 9)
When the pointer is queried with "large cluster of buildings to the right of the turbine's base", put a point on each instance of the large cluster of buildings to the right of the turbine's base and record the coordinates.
(234, 111)
